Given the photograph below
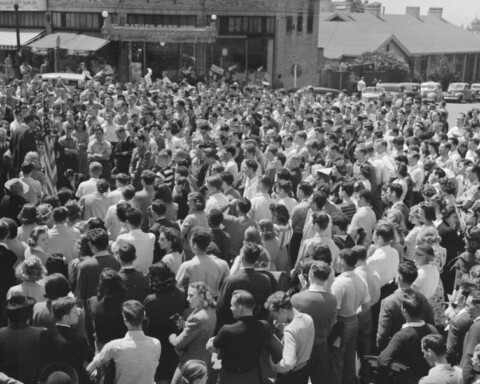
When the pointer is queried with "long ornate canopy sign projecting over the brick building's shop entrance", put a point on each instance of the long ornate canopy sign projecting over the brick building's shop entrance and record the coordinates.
(162, 33)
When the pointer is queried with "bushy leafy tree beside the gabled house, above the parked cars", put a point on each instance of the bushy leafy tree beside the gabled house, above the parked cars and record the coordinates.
(395, 68)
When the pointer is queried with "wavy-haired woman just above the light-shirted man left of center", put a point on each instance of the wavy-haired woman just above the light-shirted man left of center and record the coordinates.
(196, 218)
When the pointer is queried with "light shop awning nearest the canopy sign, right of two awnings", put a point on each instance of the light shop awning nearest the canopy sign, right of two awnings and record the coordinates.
(75, 43)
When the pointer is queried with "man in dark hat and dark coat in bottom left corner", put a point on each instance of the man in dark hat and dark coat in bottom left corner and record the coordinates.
(19, 342)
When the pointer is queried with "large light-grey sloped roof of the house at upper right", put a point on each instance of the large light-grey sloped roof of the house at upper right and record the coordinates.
(361, 32)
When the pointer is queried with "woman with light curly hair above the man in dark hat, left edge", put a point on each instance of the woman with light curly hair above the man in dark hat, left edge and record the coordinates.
(30, 273)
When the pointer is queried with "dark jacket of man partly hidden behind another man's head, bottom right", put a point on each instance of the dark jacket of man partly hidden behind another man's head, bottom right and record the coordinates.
(391, 319)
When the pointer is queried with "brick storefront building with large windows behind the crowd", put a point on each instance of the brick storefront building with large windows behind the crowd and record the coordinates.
(256, 39)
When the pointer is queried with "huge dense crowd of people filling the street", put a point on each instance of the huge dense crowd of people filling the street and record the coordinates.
(212, 232)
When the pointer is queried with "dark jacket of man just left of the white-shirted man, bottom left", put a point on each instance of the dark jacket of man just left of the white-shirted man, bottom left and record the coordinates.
(61, 344)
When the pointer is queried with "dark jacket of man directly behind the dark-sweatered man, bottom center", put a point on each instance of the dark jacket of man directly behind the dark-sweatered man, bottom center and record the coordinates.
(250, 280)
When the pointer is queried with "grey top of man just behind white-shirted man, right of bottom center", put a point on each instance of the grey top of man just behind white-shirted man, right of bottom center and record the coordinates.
(321, 306)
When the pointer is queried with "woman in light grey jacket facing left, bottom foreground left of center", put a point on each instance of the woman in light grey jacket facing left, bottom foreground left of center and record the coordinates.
(199, 327)
